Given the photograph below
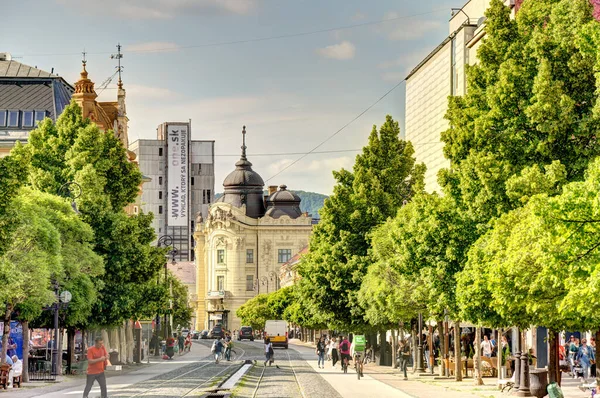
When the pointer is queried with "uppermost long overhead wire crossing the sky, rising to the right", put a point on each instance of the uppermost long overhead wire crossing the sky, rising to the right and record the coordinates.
(258, 39)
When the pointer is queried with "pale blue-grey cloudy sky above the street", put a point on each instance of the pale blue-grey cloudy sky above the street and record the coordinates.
(320, 65)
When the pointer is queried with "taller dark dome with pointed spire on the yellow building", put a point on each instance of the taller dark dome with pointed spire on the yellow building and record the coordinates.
(244, 186)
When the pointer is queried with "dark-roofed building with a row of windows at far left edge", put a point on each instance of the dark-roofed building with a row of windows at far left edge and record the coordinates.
(27, 96)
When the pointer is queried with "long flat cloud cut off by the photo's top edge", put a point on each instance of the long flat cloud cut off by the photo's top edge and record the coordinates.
(160, 9)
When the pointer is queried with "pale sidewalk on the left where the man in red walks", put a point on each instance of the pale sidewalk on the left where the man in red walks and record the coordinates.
(131, 374)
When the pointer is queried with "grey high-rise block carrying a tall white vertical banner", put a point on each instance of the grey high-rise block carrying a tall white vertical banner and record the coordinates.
(181, 182)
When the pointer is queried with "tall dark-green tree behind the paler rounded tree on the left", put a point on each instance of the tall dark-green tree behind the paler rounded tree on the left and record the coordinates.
(74, 149)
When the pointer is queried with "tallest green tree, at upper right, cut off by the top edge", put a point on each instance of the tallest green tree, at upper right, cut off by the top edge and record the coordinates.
(531, 100)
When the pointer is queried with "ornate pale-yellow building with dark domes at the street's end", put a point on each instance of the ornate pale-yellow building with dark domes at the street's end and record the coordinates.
(242, 243)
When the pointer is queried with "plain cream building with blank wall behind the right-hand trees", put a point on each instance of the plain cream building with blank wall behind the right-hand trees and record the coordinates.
(440, 75)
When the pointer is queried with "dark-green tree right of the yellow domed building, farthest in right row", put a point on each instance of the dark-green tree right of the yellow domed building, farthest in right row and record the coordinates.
(383, 178)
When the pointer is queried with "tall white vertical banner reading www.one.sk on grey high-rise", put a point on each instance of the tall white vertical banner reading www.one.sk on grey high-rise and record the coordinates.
(177, 176)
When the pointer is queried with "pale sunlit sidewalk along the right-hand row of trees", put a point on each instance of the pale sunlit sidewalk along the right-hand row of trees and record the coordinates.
(426, 387)
